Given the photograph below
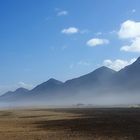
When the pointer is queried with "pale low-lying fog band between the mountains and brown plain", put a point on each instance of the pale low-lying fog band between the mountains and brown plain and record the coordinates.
(120, 99)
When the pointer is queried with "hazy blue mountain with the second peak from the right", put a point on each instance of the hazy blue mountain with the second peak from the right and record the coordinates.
(90, 81)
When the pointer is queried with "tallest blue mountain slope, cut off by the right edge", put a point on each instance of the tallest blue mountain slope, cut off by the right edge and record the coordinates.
(128, 78)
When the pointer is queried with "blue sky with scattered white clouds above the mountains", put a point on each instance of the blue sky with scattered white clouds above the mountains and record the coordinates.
(64, 39)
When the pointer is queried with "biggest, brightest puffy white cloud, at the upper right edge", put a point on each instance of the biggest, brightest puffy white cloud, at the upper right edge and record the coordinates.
(129, 29)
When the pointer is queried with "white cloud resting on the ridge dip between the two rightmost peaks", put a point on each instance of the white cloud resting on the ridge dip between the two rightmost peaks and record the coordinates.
(118, 63)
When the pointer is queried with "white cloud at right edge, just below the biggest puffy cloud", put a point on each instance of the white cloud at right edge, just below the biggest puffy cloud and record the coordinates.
(133, 47)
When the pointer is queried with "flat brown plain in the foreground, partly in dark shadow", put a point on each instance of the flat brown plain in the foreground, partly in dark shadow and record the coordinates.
(70, 124)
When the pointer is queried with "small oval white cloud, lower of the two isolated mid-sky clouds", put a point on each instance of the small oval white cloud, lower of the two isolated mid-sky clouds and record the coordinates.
(97, 41)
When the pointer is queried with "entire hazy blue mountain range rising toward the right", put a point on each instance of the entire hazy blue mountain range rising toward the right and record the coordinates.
(99, 83)
